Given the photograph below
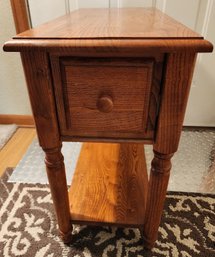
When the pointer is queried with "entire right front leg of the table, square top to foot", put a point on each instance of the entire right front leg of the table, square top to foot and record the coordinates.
(176, 86)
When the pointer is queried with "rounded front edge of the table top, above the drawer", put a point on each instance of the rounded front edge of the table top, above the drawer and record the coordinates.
(107, 47)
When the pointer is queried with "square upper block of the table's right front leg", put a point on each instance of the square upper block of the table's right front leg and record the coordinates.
(175, 92)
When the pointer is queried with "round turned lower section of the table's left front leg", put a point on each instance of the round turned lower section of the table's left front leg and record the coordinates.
(57, 180)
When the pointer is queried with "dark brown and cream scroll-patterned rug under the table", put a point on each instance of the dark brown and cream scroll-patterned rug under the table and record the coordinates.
(28, 228)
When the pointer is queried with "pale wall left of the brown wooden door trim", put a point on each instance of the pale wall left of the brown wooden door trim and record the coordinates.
(13, 92)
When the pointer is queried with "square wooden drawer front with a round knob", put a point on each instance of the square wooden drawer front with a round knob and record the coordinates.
(104, 98)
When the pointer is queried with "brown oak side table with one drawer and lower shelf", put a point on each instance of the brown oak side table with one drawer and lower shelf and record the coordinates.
(110, 75)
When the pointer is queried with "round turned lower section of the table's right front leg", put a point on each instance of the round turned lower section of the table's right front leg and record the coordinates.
(158, 182)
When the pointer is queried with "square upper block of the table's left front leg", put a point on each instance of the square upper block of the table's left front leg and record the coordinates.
(39, 82)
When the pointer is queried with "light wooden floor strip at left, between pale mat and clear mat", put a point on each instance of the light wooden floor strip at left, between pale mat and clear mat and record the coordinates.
(15, 148)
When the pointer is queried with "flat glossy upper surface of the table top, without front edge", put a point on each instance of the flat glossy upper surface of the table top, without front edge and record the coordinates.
(113, 23)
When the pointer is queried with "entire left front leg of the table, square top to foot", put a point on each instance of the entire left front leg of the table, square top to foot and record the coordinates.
(39, 81)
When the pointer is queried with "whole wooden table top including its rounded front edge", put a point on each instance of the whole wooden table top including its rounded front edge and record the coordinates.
(111, 30)
